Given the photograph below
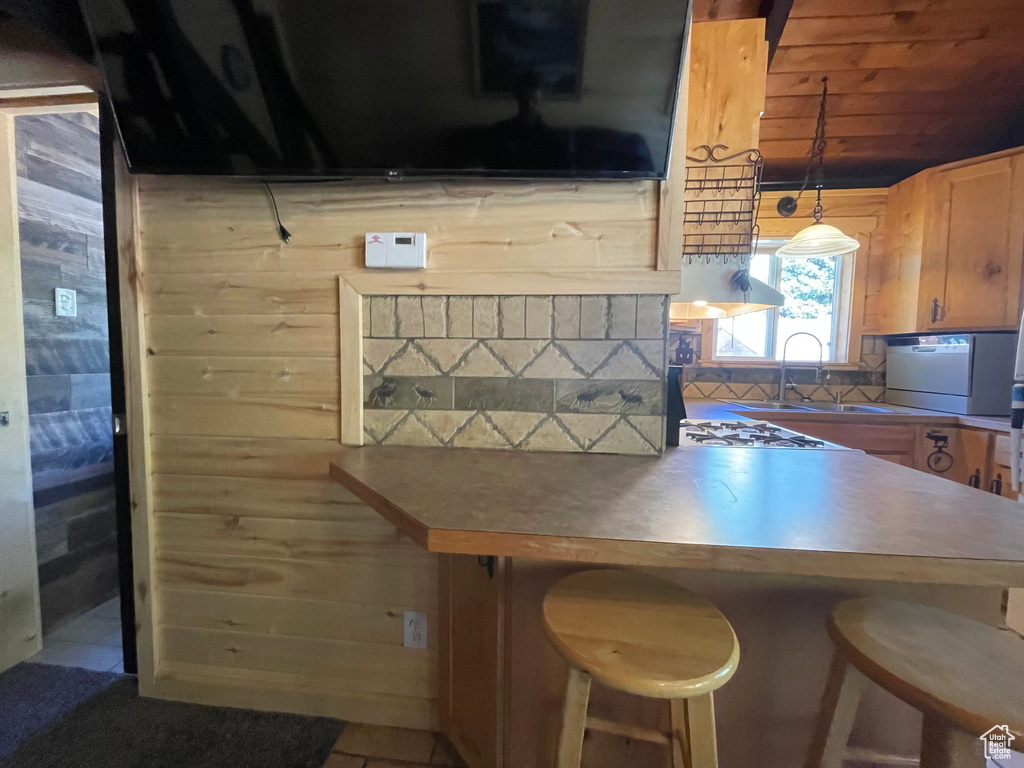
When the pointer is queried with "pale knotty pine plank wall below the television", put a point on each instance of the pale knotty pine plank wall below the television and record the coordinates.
(274, 587)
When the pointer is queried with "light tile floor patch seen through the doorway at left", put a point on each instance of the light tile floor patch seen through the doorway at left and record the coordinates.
(93, 642)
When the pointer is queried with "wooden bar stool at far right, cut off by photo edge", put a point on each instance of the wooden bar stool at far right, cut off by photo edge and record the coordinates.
(965, 677)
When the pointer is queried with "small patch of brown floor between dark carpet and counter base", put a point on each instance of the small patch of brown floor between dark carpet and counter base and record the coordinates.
(377, 747)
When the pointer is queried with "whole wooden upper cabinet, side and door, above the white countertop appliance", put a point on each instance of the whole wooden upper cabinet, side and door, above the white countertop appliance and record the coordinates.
(955, 248)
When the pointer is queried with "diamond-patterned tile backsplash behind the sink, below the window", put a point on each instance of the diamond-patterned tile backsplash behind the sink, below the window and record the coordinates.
(864, 385)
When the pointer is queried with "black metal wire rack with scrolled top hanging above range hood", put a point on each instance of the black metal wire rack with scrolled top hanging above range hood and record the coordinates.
(722, 196)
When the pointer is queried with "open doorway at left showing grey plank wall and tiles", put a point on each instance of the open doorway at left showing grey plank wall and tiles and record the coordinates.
(55, 174)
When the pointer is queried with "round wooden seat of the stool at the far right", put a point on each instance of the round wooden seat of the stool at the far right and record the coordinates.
(936, 662)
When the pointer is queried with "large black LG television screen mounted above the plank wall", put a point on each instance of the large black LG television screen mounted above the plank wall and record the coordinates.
(334, 89)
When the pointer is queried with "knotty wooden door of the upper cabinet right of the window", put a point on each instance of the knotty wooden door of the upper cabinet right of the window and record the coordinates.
(974, 246)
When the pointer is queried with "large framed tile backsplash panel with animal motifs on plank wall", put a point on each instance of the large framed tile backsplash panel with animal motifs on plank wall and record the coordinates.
(529, 373)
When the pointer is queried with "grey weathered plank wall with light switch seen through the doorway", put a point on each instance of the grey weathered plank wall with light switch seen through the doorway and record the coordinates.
(68, 362)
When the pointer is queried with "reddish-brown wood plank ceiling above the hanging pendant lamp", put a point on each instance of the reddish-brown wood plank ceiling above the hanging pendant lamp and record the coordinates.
(913, 83)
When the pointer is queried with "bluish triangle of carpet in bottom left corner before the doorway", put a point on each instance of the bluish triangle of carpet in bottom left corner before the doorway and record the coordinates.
(35, 696)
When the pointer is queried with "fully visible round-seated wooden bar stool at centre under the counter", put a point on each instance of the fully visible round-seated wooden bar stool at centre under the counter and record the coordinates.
(645, 636)
